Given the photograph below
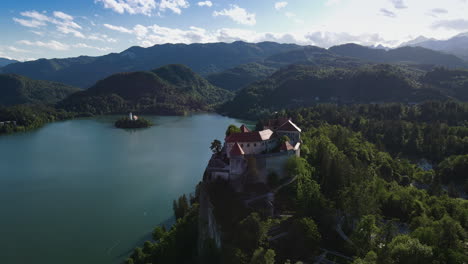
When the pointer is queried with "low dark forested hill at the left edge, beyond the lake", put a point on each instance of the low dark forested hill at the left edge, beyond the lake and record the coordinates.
(16, 89)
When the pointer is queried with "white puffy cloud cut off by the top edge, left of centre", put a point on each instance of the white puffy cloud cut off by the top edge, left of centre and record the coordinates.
(144, 7)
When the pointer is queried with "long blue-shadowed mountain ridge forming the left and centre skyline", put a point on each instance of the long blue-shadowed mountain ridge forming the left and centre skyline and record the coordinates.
(202, 58)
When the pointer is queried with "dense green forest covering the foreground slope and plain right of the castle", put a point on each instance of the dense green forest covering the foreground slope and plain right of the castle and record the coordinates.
(361, 194)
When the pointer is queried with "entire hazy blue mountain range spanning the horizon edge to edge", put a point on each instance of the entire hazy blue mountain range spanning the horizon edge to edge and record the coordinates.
(206, 59)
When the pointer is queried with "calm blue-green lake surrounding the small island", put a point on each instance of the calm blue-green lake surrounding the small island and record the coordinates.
(82, 191)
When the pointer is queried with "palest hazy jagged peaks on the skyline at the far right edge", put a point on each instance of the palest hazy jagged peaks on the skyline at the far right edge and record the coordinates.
(457, 45)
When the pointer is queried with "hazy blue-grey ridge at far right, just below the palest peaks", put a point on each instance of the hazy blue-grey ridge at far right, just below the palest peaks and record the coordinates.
(403, 55)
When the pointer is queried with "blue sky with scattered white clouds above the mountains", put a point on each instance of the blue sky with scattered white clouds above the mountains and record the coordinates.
(33, 29)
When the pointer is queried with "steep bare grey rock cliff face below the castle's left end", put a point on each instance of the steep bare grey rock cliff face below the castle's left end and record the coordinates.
(207, 225)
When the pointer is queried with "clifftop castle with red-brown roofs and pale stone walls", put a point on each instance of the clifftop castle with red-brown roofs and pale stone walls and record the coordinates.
(251, 156)
